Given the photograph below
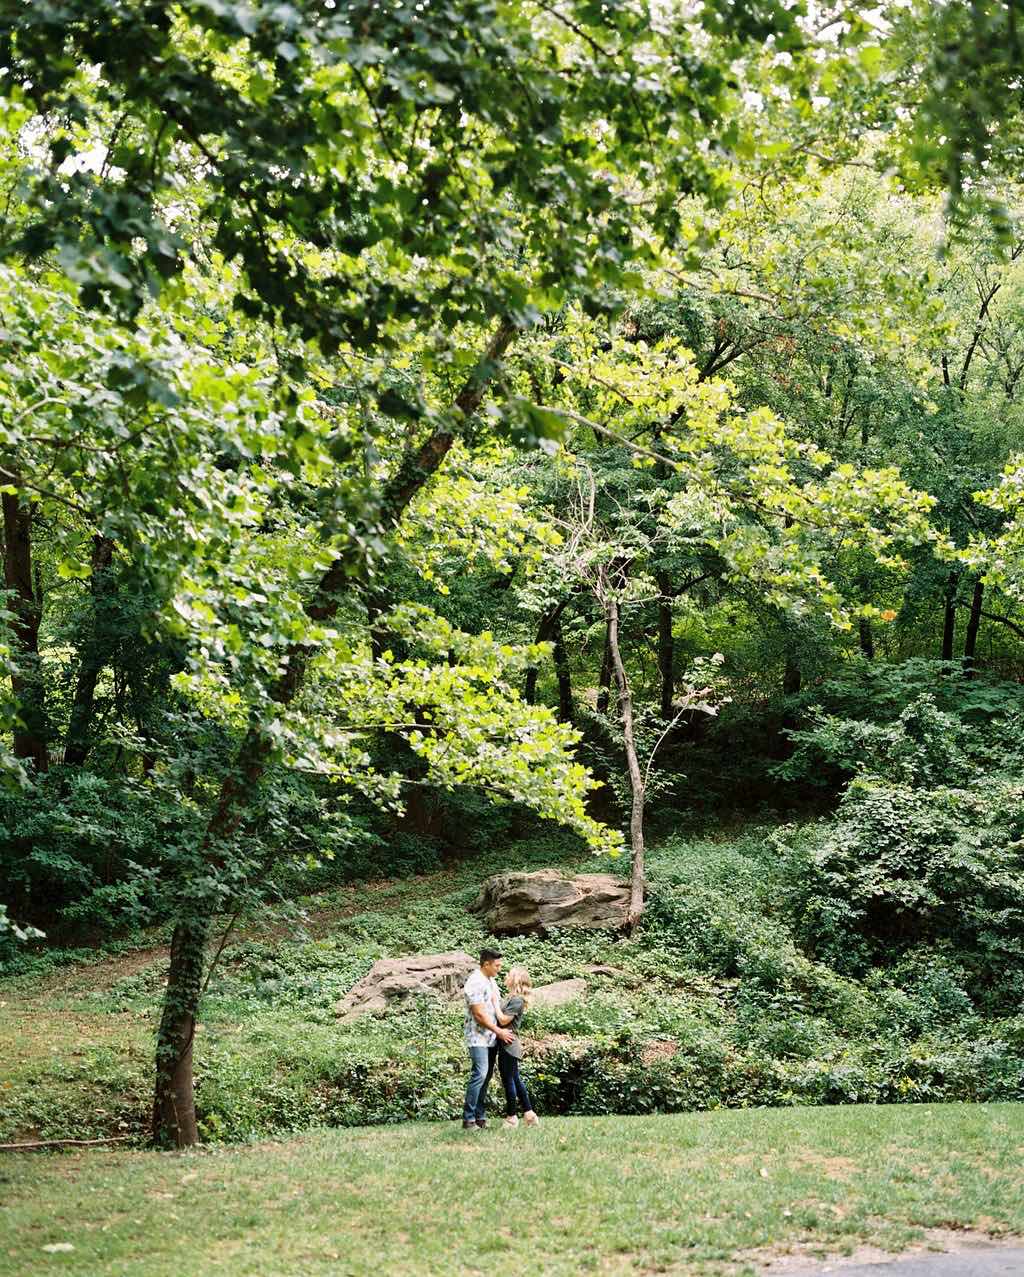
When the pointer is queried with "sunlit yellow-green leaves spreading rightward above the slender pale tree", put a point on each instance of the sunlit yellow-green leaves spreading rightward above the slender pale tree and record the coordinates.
(778, 510)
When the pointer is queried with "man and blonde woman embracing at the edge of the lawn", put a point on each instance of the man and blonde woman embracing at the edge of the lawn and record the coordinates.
(493, 1034)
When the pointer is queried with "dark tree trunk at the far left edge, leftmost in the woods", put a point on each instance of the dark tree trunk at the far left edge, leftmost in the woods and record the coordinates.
(31, 735)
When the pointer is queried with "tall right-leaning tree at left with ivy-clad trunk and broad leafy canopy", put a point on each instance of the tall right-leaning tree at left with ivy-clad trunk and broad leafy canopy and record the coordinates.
(391, 195)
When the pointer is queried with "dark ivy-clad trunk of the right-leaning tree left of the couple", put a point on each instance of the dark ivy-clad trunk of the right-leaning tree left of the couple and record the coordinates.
(174, 1098)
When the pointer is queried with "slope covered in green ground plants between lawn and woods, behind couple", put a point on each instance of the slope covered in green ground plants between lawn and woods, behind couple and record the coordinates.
(713, 1007)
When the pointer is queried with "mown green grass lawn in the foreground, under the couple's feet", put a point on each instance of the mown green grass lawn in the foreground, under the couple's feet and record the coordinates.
(693, 1193)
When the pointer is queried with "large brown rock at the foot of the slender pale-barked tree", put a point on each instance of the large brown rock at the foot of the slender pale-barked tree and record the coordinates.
(515, 905)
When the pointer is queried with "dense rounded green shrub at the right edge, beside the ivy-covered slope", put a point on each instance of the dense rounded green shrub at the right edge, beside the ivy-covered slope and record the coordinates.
(903, 866)
